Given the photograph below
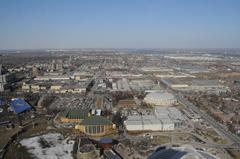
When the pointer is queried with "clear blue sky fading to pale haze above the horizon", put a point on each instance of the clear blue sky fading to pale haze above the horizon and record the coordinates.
(42, 24)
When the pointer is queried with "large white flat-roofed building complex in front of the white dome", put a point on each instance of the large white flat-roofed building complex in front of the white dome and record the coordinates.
(164, 119)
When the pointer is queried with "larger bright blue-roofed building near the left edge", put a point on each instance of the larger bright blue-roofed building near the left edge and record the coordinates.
(19, 105)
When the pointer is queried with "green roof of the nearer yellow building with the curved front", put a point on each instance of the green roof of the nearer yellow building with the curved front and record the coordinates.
(96, 120)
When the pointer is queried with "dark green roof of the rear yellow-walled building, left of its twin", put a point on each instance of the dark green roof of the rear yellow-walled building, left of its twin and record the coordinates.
(76, 113)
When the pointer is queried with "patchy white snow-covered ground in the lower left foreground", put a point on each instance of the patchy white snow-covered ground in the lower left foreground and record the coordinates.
(49, 146)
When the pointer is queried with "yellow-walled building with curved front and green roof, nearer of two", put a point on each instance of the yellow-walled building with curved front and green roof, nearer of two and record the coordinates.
(96, 126)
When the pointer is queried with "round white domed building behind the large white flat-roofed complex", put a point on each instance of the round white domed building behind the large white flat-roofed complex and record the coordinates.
(160, 99)
